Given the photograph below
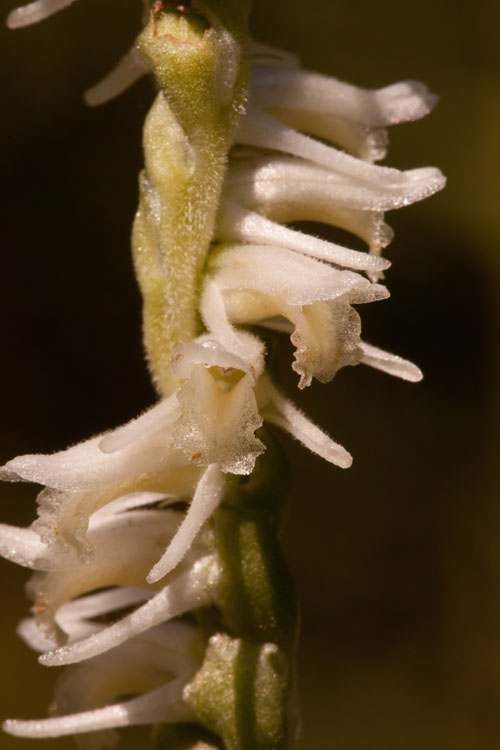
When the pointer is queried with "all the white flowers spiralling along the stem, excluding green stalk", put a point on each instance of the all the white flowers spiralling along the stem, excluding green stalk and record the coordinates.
(121, 511)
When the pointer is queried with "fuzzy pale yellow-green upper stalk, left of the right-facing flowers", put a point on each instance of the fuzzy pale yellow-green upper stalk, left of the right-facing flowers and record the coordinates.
(199, 61)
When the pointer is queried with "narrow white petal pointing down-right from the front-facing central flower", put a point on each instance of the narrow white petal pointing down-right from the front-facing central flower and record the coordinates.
(284, 414)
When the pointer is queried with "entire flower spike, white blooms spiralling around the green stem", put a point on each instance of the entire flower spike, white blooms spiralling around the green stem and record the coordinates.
(158, 573)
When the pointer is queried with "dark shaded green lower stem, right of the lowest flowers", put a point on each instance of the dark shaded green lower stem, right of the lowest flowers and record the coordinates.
(243, 690)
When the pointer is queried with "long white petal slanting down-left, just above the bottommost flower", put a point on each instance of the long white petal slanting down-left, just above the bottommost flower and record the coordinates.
(189, 591)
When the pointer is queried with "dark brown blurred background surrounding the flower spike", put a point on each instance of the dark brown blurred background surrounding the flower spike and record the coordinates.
(396, 561)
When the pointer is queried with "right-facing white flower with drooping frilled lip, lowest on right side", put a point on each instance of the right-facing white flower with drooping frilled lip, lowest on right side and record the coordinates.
(262, 282)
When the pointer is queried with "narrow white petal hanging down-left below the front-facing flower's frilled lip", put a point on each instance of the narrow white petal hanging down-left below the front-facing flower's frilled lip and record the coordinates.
(206, 499)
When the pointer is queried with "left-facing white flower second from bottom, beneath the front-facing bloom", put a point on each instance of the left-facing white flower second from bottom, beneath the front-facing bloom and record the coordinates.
(128, 537)
